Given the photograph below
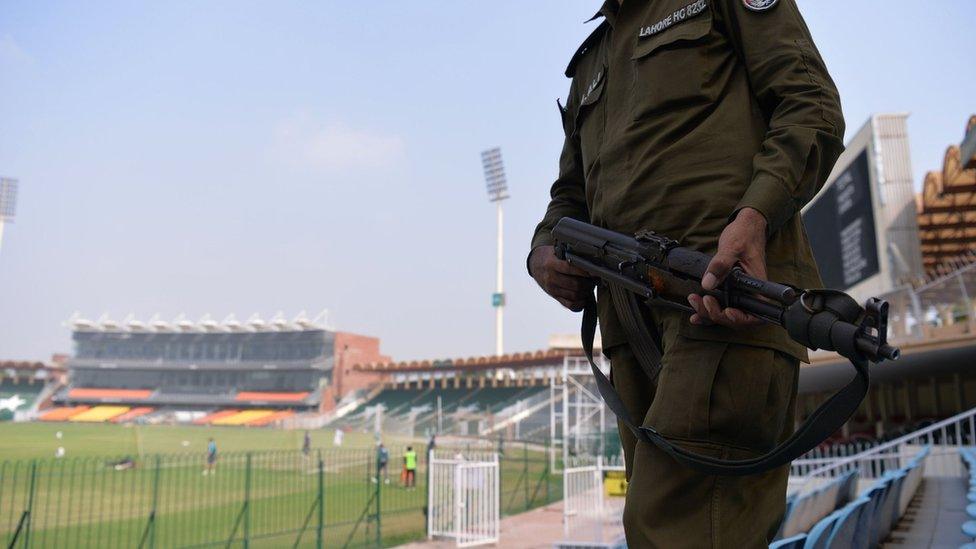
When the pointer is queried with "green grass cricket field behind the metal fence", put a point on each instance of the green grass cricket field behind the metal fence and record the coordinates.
(264, 488)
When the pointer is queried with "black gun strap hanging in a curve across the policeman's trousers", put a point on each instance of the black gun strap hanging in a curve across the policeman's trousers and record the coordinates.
(823, 422)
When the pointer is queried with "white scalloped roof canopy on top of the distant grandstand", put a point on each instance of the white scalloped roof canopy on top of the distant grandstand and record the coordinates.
(230, 324)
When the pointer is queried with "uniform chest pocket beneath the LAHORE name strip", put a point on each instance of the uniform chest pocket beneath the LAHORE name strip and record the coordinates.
(671, 66)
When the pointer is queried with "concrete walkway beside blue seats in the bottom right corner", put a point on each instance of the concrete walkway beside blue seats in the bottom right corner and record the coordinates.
(934, 517)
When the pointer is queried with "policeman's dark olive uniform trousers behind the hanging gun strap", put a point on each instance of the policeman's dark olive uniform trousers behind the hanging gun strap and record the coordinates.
(715, 398)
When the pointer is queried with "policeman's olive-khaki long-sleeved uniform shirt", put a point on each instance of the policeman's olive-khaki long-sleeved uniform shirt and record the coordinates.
(682, 112)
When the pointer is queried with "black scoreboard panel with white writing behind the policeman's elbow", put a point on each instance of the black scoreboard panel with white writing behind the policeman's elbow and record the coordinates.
(841, 228)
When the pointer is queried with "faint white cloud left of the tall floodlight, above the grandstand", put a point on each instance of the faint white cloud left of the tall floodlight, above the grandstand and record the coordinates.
(302, 143)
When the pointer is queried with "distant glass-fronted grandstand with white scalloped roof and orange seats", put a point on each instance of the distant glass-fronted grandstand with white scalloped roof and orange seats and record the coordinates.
(264, 371)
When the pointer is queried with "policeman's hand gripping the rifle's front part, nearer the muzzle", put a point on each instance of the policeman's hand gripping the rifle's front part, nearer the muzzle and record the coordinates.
(744, 242)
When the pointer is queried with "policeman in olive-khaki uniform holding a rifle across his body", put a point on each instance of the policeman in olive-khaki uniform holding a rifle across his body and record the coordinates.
(711, 122)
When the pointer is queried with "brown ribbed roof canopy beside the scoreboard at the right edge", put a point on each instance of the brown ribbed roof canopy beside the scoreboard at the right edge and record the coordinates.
(947, 207)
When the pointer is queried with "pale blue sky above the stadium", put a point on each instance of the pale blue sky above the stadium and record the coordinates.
(241, 157)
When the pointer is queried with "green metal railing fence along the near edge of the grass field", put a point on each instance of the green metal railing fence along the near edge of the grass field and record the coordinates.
(327, 498)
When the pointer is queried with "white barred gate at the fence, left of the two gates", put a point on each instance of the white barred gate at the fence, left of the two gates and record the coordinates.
(463, 499)
